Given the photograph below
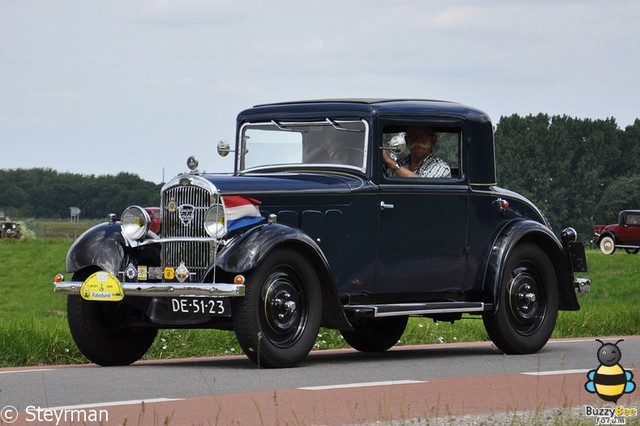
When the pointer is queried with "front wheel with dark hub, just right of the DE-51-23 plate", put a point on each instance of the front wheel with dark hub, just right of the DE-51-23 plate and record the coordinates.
(277, 321)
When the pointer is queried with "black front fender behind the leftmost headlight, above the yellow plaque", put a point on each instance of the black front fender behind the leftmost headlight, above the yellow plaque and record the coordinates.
(101, 246)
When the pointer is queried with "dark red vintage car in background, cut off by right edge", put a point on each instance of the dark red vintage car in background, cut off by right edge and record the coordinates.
(624, 234)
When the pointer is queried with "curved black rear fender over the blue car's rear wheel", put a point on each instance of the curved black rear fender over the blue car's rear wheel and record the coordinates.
(527, 230)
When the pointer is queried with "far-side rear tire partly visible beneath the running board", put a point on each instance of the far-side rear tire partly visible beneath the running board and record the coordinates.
(375, 334)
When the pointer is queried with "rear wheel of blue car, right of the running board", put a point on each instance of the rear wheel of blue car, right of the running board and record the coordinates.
(527, 305)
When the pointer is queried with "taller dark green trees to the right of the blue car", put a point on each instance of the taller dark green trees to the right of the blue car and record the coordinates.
(579, 172)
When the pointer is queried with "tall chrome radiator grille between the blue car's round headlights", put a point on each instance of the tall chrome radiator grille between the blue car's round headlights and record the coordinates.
(183, 212)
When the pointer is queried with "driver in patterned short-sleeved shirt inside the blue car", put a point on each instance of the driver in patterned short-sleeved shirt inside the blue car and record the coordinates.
(421, 162)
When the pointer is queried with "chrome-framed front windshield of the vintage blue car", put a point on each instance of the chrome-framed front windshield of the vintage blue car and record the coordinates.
(277, 145)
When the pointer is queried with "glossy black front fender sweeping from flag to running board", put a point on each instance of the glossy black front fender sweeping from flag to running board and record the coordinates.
(246, 251)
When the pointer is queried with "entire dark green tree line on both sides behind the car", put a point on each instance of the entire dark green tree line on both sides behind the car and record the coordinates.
(579, 172)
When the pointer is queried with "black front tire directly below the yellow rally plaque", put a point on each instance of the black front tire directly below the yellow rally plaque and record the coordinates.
(99, 330)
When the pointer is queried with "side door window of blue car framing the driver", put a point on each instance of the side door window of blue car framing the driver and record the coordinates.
(430, 151)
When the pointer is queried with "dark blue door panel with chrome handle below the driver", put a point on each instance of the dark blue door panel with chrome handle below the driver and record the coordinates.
(423, 229)
